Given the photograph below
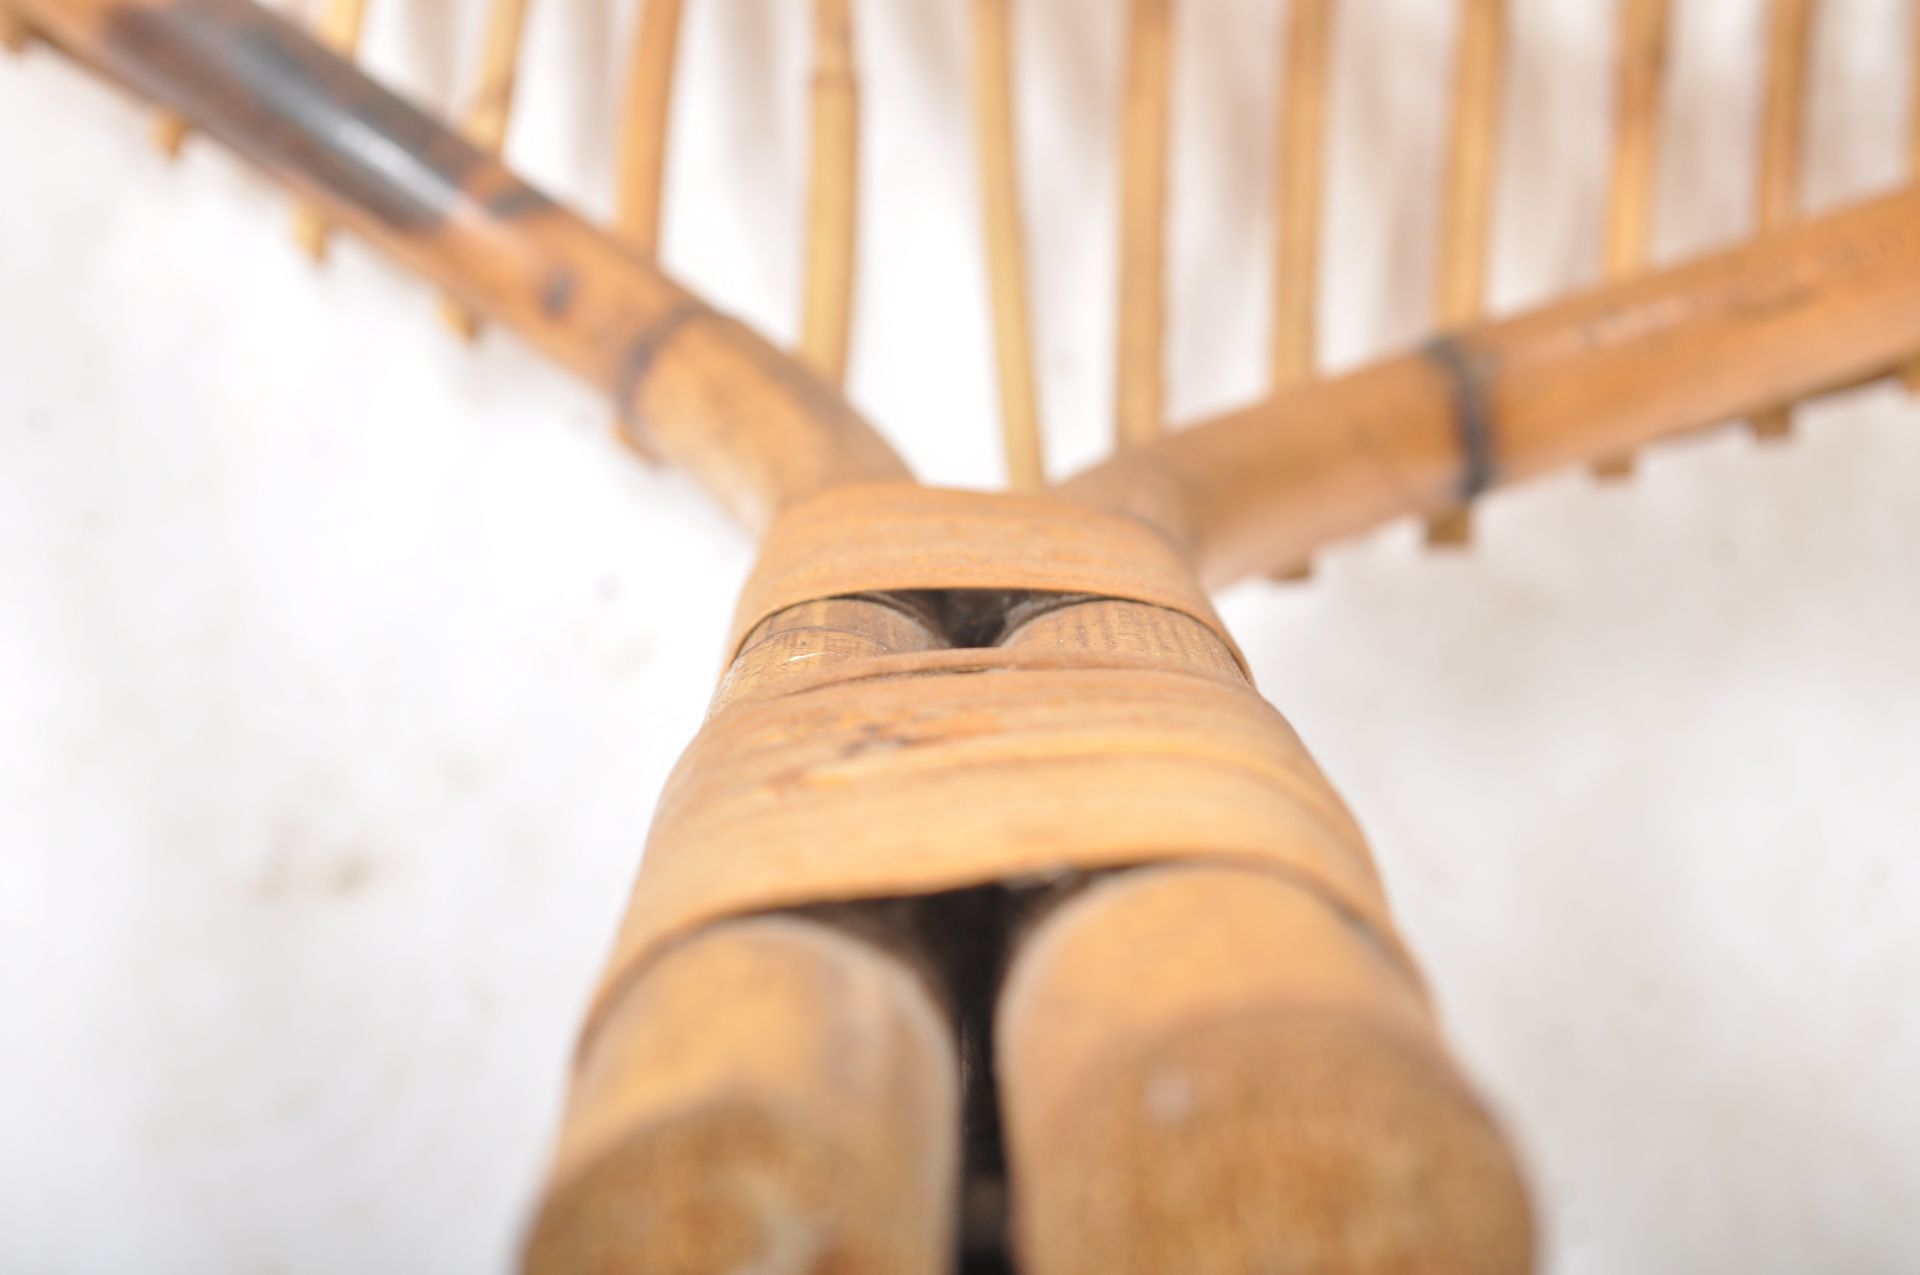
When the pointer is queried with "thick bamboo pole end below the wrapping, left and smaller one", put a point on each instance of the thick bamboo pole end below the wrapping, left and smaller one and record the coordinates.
(771, 1095)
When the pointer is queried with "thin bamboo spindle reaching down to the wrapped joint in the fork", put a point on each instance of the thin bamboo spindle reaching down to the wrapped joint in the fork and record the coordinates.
(1007, 253)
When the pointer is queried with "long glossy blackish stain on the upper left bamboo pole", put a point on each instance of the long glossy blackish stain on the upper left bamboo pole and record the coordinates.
(279, 97)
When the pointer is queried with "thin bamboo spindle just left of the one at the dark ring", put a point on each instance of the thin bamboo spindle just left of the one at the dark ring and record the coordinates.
(1299, 197)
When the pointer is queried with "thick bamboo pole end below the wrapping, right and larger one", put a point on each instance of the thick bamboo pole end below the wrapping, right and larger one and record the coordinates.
(1207, 1071)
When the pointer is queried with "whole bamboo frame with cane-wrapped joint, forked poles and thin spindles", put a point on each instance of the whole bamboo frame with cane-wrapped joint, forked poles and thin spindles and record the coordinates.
(994, 919)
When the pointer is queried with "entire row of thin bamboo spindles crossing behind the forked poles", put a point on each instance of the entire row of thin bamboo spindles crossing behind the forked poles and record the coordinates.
(1299, 201)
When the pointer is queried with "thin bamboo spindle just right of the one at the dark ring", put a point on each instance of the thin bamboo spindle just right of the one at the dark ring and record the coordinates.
(1641, 68)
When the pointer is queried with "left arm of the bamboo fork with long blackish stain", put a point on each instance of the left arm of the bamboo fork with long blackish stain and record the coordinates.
(748, 421)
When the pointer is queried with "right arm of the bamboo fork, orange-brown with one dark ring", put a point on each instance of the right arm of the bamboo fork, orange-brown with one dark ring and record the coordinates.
(1819, 306)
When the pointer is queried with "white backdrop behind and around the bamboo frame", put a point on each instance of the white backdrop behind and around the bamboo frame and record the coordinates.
(341, 665)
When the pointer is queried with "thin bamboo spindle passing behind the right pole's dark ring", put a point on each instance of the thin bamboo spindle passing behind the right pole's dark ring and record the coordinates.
(1468, 218)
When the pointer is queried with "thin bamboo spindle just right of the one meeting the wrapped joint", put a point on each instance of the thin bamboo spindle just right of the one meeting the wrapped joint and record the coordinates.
(1143, 222)
